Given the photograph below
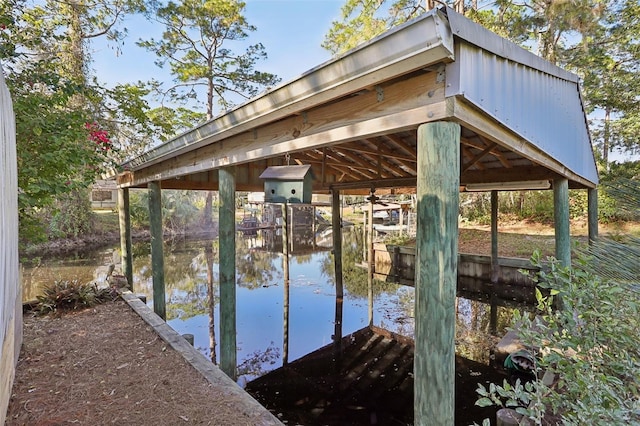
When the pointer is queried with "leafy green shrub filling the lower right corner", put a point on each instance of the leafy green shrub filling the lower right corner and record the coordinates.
(590, 345)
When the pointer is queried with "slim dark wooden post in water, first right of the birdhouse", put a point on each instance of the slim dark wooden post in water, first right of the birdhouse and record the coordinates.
(336, 226)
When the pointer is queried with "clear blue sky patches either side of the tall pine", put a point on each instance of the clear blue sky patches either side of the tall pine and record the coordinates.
(290, 30)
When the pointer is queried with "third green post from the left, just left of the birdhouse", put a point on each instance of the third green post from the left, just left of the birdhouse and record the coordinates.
(227, 236)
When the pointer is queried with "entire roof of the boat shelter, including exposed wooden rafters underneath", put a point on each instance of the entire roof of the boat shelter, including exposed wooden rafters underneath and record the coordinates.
(353, 119)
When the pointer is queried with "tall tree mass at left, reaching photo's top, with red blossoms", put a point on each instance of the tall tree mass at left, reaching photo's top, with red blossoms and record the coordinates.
(67, 125)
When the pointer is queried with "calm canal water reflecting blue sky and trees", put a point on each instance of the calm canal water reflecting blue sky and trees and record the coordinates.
(265, 339)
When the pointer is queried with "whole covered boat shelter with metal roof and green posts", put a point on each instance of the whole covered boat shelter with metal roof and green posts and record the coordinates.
(434, 106)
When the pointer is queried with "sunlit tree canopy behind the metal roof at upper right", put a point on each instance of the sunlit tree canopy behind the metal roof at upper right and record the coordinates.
(597, 39)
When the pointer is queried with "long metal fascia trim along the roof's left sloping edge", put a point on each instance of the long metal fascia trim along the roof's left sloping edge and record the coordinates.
(428, 36)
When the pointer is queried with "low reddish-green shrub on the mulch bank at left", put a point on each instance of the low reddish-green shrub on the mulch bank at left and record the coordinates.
(68, 295)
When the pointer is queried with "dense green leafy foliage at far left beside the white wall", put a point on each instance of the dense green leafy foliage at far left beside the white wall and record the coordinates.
(56, 155)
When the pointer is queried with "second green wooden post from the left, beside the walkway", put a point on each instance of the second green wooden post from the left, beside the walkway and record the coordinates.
(157, 249)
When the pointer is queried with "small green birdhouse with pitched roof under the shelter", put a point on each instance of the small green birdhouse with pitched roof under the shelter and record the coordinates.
(287, 184)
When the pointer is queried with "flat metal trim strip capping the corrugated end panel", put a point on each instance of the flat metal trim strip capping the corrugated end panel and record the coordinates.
(479, 36)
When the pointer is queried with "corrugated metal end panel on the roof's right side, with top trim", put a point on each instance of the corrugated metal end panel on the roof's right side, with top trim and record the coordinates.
(536, 99)
